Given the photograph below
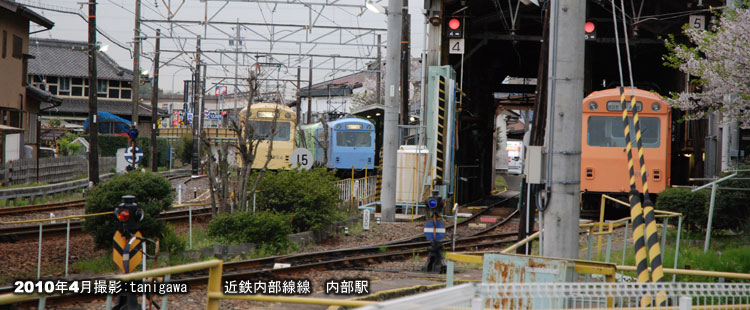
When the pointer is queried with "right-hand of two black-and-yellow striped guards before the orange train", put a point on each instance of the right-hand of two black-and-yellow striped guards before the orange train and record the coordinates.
(652, 237)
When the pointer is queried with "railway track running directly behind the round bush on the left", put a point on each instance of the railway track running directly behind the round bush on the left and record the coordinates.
(12, 234)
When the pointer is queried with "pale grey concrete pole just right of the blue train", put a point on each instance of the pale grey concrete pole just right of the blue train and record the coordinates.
(390, 118)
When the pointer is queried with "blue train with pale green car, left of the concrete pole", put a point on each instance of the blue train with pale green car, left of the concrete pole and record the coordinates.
(343, 144)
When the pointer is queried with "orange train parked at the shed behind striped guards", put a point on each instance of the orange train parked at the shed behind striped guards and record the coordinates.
(604, 163)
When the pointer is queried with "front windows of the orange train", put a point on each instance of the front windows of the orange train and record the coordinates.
(608, 131)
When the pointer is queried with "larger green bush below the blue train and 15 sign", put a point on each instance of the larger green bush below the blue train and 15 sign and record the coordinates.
(310, 197)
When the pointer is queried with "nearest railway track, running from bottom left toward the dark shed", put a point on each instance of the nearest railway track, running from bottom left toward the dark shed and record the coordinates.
(358, 257)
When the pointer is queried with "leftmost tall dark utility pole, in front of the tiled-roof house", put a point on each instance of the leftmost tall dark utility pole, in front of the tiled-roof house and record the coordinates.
(93, 124)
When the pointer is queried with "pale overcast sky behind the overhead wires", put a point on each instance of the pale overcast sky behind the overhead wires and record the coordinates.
(115, 18)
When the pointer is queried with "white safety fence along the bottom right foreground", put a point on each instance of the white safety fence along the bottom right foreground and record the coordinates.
(537, 296)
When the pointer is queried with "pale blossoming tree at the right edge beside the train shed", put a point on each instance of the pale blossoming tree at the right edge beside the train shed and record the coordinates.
(720, 60)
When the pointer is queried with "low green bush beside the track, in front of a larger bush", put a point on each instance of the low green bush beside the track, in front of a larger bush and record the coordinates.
(262, 228)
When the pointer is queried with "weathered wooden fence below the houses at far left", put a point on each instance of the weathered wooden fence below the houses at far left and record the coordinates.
(51, 170)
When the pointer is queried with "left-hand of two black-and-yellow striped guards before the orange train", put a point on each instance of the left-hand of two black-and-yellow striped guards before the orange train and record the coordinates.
(636, 211)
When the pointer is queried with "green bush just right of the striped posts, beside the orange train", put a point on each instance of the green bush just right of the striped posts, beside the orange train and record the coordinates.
(693, 206)
